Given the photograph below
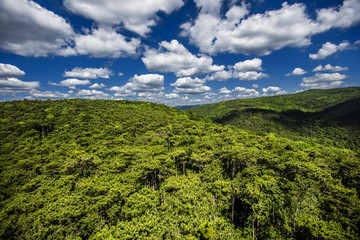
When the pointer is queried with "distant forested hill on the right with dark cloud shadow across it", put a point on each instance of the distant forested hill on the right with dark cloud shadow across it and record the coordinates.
(330, 117)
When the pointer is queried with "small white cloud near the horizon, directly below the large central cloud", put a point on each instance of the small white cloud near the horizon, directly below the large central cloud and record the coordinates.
(188, 85)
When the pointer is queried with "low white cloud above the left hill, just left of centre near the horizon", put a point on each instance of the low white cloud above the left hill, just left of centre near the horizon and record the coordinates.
(140, 84)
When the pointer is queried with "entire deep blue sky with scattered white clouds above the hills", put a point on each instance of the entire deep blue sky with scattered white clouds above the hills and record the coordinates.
(176, 52)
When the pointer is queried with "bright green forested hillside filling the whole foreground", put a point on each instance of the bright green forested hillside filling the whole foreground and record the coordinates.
(95, 169)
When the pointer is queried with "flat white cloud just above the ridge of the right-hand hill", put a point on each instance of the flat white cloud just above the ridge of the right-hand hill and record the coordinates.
(323, 80)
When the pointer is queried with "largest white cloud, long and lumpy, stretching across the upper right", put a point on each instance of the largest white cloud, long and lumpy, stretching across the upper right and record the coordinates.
(262, 33)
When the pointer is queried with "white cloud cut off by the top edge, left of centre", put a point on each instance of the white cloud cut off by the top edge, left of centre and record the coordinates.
(136, 15)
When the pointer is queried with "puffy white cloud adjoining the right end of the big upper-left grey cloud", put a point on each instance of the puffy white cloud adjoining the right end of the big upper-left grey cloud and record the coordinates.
(101, 43)
